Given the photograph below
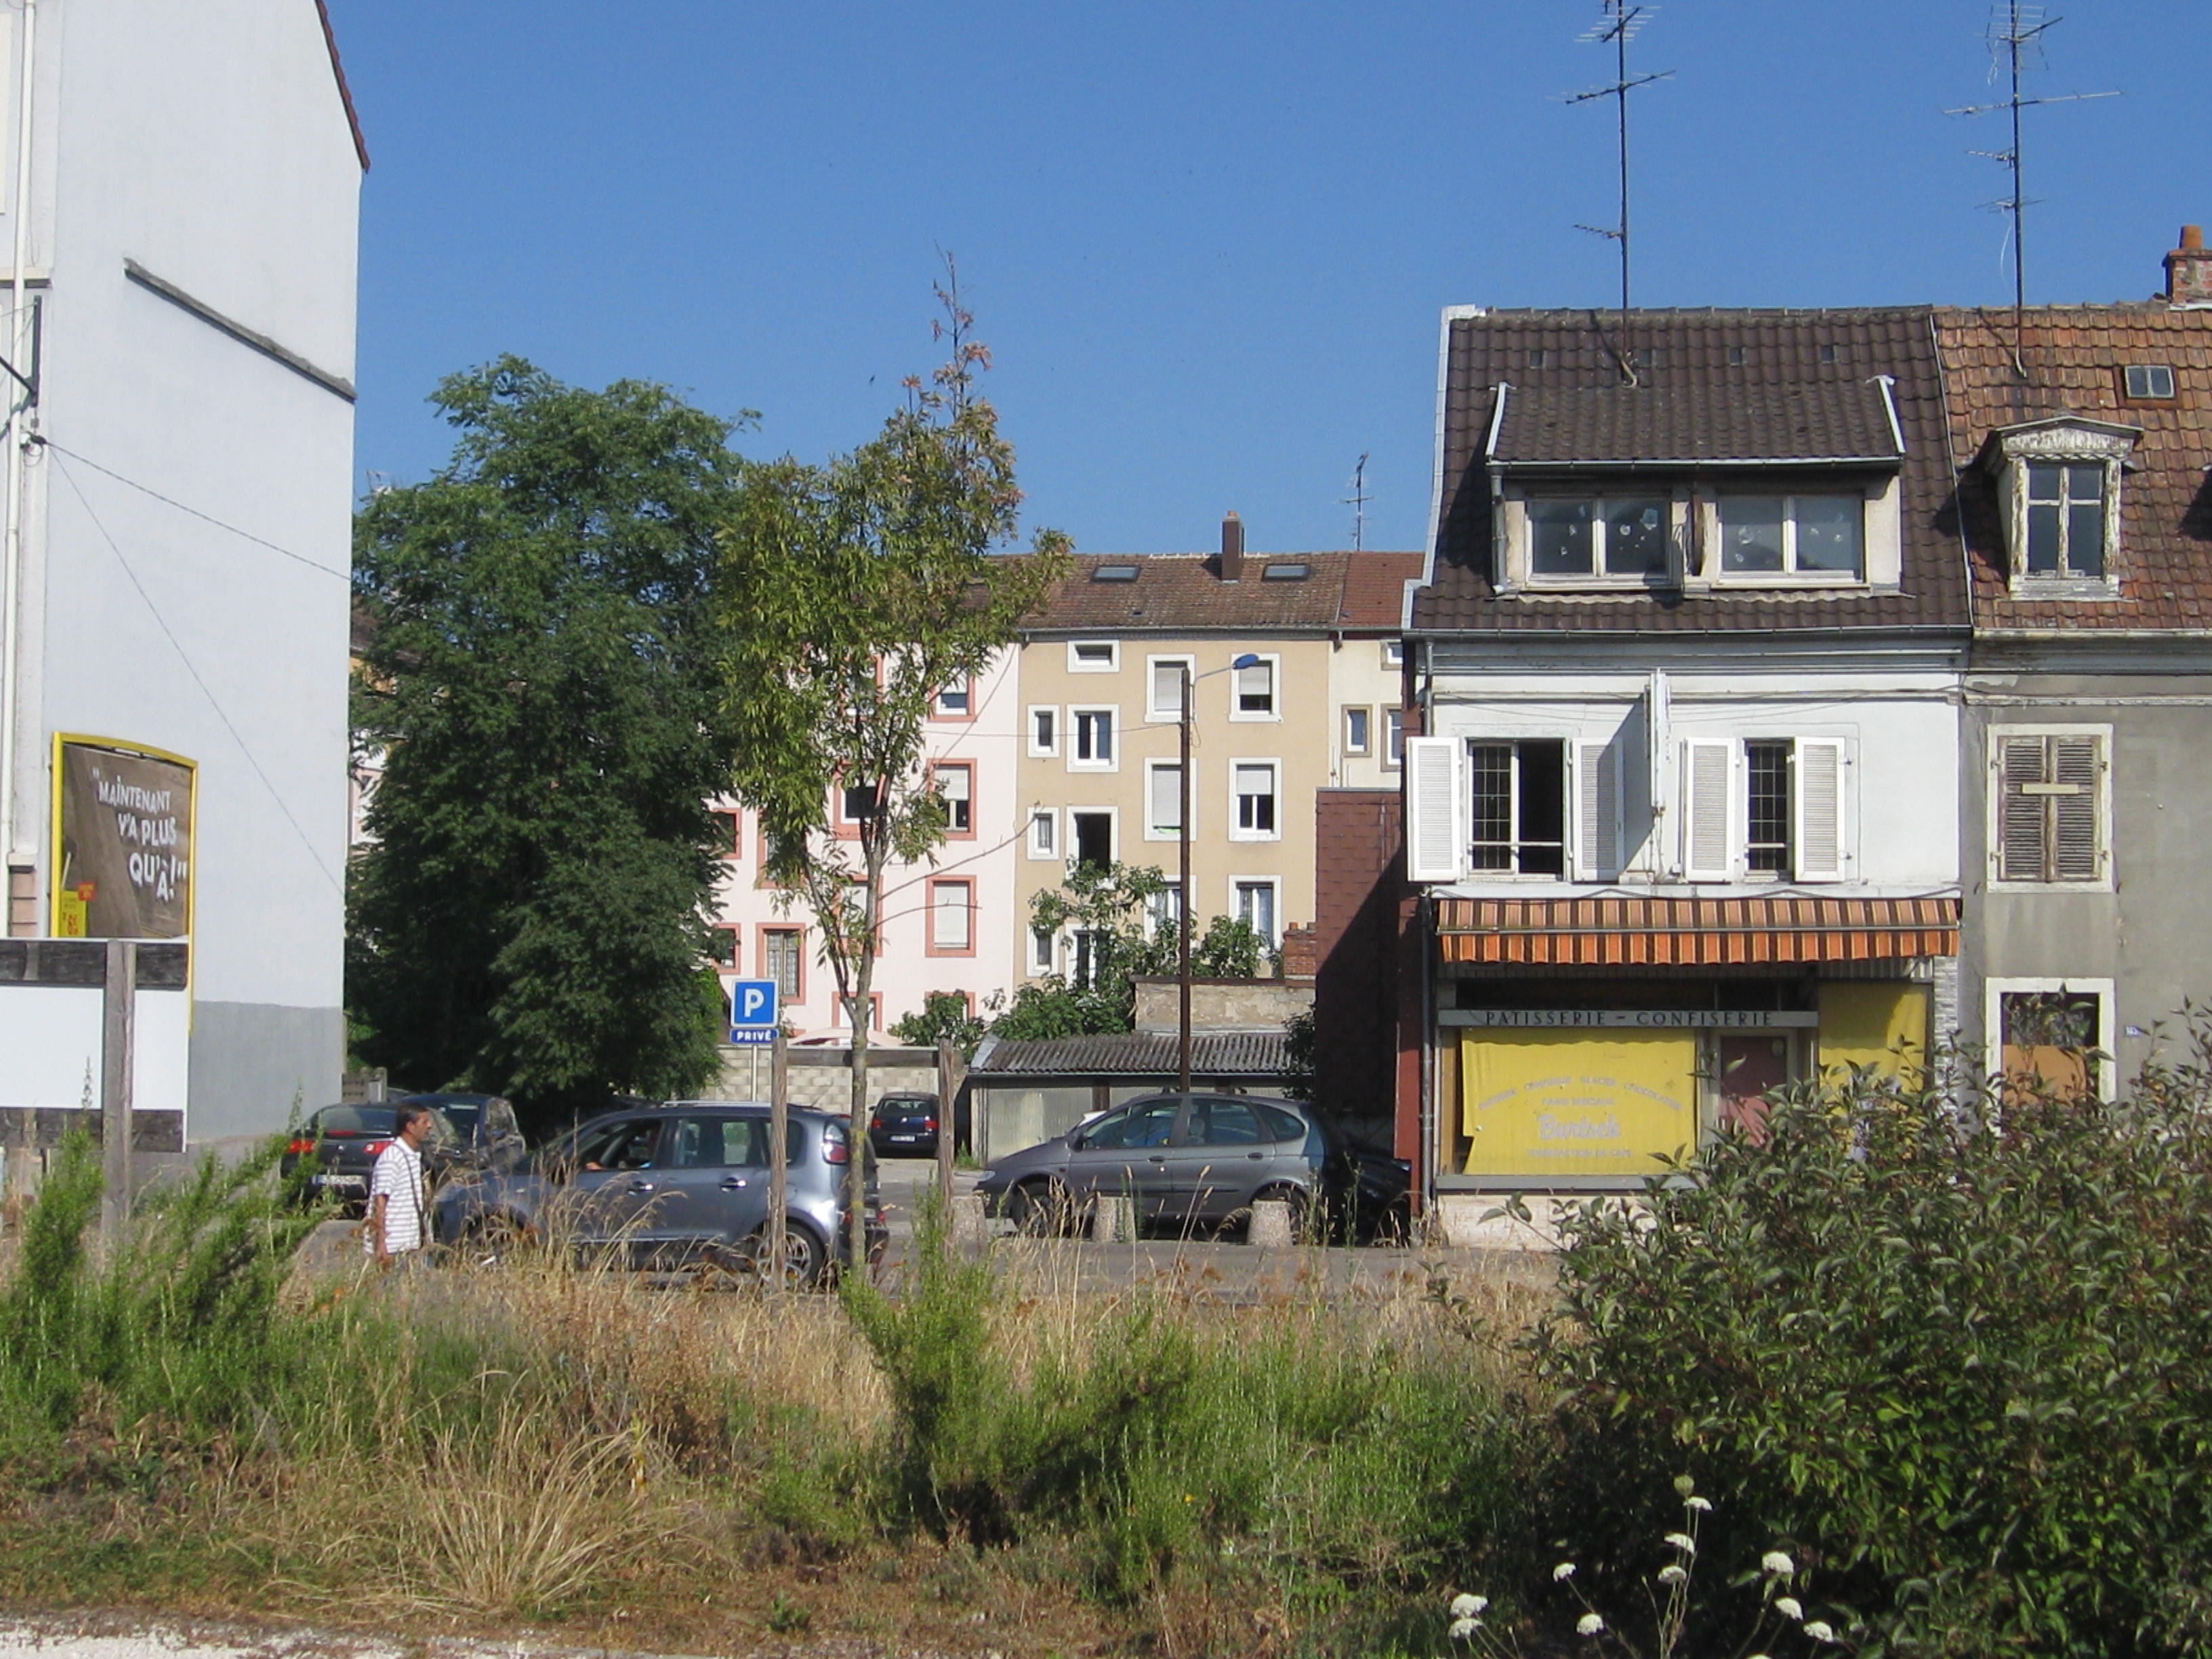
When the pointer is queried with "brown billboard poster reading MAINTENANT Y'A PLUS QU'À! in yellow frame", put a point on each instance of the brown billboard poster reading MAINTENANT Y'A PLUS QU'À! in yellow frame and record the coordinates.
(123, 842)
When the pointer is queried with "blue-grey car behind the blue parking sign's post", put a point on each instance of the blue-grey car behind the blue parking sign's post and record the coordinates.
(671, 1187)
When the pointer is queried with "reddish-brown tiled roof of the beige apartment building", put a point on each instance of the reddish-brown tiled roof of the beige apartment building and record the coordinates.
(1180, 592)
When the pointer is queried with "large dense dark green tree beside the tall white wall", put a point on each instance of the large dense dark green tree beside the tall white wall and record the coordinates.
(545, 691)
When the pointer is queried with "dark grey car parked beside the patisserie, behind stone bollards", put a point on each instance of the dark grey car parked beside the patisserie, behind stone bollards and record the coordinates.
(1187, 1160)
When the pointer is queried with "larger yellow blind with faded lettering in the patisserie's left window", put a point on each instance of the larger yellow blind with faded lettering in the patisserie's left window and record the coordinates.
(1574, 1103)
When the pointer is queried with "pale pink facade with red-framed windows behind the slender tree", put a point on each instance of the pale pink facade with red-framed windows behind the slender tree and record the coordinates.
(908, 970)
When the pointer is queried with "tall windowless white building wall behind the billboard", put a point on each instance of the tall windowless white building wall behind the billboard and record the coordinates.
(211, 147)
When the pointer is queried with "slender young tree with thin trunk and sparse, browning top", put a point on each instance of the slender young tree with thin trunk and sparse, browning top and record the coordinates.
(853, 594)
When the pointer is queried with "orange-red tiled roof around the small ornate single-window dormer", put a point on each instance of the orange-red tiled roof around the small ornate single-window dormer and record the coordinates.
(2074, 359)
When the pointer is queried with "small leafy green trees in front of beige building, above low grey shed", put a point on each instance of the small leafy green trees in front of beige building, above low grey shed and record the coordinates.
(1112, 915)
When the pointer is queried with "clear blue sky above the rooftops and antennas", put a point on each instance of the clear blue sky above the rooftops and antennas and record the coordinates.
(1207, 240)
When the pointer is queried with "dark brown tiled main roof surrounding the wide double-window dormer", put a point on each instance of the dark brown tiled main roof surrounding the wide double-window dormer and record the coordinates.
(1822, 359)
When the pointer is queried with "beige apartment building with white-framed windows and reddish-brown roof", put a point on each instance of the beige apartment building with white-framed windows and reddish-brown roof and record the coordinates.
(1100, 671)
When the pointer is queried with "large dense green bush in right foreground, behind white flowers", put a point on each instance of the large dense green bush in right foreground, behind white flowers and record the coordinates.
(1959, 1355)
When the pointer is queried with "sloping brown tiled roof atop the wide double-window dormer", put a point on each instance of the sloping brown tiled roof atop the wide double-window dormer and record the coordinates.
(1695, 424)
